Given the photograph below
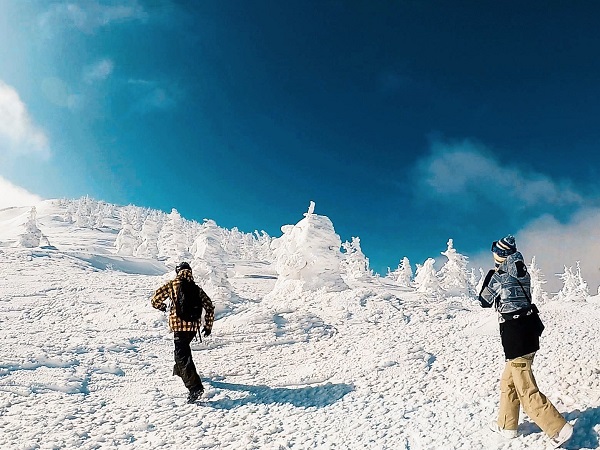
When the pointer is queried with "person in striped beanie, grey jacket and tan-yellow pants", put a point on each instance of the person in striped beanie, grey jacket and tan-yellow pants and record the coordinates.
(507, 288)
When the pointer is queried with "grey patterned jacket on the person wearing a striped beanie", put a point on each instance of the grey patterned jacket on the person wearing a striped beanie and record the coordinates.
(503, 290)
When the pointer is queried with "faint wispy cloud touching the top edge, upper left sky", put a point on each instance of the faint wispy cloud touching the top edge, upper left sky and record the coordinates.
(88, 16)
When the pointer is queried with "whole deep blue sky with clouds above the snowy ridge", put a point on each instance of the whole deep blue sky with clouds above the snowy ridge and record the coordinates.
(407, 122)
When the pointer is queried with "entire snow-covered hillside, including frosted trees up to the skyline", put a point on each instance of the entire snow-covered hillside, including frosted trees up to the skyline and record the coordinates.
(358, 362)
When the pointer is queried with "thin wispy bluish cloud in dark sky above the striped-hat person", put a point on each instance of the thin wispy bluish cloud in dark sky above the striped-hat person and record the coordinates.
(467, 171)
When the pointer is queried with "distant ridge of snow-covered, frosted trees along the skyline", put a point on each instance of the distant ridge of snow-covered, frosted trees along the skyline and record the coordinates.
(110, 235)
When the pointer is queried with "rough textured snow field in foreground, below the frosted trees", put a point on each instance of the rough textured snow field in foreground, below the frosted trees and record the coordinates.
(86, 363)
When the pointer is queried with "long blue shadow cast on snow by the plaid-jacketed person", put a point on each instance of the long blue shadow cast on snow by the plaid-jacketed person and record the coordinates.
(303, 397)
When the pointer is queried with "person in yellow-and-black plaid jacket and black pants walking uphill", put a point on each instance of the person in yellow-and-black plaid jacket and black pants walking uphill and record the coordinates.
(184, 332)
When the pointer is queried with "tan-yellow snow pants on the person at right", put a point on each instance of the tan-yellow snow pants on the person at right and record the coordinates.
(518, 388)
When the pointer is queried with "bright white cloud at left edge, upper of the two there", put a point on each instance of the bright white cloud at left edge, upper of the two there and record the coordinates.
(18, 134)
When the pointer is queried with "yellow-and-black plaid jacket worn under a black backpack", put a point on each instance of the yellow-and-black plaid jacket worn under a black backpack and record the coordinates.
(169, 291)
